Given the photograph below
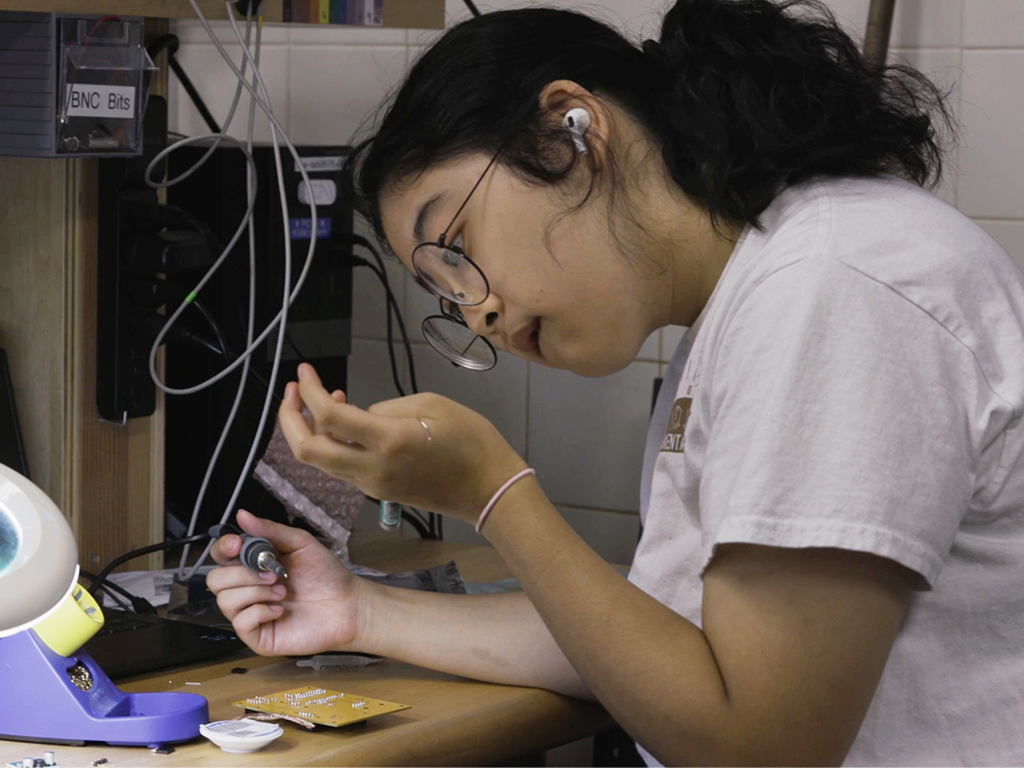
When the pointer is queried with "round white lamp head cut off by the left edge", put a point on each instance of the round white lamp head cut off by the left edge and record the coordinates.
(38, 557)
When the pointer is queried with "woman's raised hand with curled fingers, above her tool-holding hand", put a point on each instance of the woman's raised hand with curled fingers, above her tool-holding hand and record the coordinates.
(452, 467)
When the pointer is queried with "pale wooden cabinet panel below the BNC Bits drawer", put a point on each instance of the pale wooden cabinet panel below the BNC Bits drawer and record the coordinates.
(107, 479)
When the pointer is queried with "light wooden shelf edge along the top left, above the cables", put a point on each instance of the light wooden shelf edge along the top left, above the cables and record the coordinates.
(401, 14)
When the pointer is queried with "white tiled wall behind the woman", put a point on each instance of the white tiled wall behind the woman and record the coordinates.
(586, 437)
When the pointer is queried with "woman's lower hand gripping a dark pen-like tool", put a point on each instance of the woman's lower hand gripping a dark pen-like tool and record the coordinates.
(316, 610)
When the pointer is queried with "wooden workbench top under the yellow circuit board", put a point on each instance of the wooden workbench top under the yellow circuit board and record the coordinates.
(453, 721)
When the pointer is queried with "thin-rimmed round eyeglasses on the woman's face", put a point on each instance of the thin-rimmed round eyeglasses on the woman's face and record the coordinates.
(448, 273)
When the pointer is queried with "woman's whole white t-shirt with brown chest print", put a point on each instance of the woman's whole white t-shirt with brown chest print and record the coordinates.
(857, 381)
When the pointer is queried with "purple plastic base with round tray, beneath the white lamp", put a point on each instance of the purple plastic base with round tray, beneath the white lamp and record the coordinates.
(41, 703)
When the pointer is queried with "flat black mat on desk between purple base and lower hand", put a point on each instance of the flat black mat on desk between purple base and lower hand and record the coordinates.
(135, 644)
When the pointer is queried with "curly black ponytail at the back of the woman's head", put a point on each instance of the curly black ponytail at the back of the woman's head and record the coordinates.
(761, 98)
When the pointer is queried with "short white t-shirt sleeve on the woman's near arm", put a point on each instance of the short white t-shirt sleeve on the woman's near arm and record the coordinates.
(840, 415)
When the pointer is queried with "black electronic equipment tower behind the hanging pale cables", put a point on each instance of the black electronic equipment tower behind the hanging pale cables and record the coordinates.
(319, 321)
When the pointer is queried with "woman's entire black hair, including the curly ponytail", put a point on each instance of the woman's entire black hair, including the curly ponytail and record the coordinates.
(744, 98)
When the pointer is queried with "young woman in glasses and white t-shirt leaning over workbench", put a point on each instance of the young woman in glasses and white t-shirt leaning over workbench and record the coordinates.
(833, 498)
